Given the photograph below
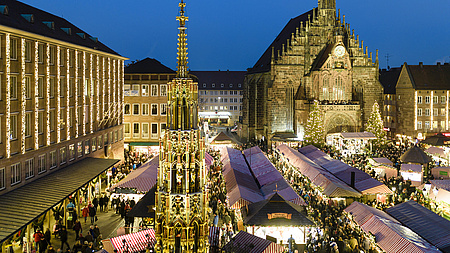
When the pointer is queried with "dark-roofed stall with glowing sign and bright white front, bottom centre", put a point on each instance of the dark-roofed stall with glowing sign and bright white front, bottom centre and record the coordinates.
(277, 218)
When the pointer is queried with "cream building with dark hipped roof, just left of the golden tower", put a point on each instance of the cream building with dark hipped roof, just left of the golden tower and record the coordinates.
(145, 104)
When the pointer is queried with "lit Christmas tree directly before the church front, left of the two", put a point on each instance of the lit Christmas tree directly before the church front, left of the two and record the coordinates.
(315, 131)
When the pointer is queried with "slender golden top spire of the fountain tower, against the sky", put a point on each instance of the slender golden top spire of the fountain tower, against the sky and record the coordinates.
(182, 69)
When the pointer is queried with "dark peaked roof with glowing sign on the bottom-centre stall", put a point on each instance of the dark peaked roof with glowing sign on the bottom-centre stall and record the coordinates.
(275, 211)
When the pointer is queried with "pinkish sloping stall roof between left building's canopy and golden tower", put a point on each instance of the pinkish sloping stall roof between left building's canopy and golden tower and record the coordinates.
(143, 178)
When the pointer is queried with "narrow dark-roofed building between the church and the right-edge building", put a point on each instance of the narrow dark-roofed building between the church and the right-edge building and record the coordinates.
(388, 78)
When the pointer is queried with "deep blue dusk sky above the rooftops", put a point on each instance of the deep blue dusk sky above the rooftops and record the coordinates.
(233, 34)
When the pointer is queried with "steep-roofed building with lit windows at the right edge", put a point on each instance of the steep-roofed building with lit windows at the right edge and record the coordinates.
(423, 94)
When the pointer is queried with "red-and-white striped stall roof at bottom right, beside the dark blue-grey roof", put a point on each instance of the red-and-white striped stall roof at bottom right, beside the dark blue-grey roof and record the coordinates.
(390, 234)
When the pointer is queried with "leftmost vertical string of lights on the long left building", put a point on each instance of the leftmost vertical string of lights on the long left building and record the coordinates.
(8, 96)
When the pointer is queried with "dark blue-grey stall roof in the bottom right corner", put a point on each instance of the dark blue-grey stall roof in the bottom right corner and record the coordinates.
(424, 222)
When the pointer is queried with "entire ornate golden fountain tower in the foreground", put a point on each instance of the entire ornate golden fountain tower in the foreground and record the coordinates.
(181, 198)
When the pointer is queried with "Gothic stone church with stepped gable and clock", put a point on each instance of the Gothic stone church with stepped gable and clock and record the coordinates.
(315, 57)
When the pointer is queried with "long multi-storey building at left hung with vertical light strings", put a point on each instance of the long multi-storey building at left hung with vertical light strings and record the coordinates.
(60, 95)
